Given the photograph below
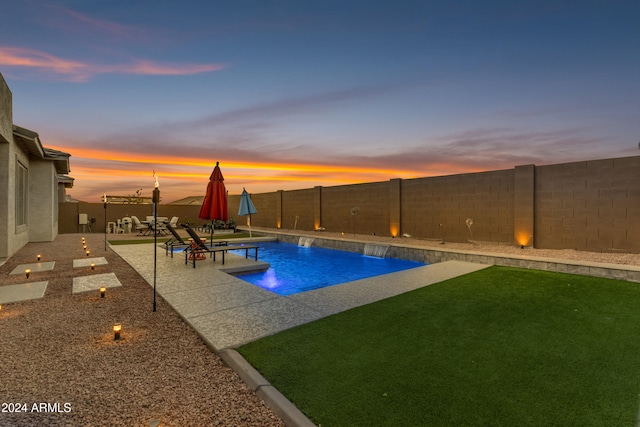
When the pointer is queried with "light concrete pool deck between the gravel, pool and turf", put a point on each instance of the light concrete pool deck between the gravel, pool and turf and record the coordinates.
(228, 312)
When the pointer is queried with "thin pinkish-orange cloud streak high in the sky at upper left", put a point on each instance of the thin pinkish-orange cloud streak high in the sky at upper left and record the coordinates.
(78, 71)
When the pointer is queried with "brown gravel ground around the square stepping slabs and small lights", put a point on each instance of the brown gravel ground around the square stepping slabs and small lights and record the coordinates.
(59, 350)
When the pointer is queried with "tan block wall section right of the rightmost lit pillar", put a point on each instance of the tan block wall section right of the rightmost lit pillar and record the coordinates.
(590, 206)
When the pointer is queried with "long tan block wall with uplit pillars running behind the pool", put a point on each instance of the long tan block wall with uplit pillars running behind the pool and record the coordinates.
(591, 206)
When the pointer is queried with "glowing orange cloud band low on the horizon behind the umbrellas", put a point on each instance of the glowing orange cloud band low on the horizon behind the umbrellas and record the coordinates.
(96, 171)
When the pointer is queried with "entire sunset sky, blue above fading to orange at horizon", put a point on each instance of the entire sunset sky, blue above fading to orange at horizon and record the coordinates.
(290, 94)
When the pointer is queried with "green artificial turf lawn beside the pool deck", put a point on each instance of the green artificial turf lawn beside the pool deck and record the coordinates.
(500, 347)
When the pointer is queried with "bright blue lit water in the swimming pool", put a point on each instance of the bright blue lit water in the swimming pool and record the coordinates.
(297, 269)
